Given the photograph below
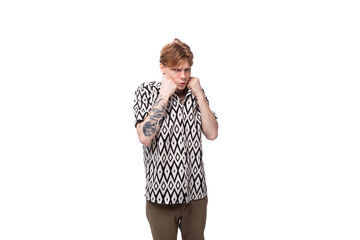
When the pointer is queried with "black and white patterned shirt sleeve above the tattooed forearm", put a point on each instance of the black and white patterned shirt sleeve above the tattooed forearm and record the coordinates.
(142, 104)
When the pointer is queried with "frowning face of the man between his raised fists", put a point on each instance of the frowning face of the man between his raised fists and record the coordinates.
(179, 74)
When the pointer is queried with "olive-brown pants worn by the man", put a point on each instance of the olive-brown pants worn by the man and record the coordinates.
(165, 220)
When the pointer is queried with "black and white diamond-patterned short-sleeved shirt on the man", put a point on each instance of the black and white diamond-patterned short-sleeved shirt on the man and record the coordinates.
(174, 168)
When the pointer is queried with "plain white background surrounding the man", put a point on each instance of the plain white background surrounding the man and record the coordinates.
(283, 77)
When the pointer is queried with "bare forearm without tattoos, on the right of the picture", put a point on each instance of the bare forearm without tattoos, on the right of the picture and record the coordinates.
(209, 123)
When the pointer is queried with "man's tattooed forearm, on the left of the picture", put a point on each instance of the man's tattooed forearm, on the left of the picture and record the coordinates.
(150, 126)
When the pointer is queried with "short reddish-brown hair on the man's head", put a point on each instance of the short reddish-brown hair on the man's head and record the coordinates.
(172, 53)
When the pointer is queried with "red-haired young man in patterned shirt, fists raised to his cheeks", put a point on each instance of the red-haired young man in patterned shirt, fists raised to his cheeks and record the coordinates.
(170, 117)
